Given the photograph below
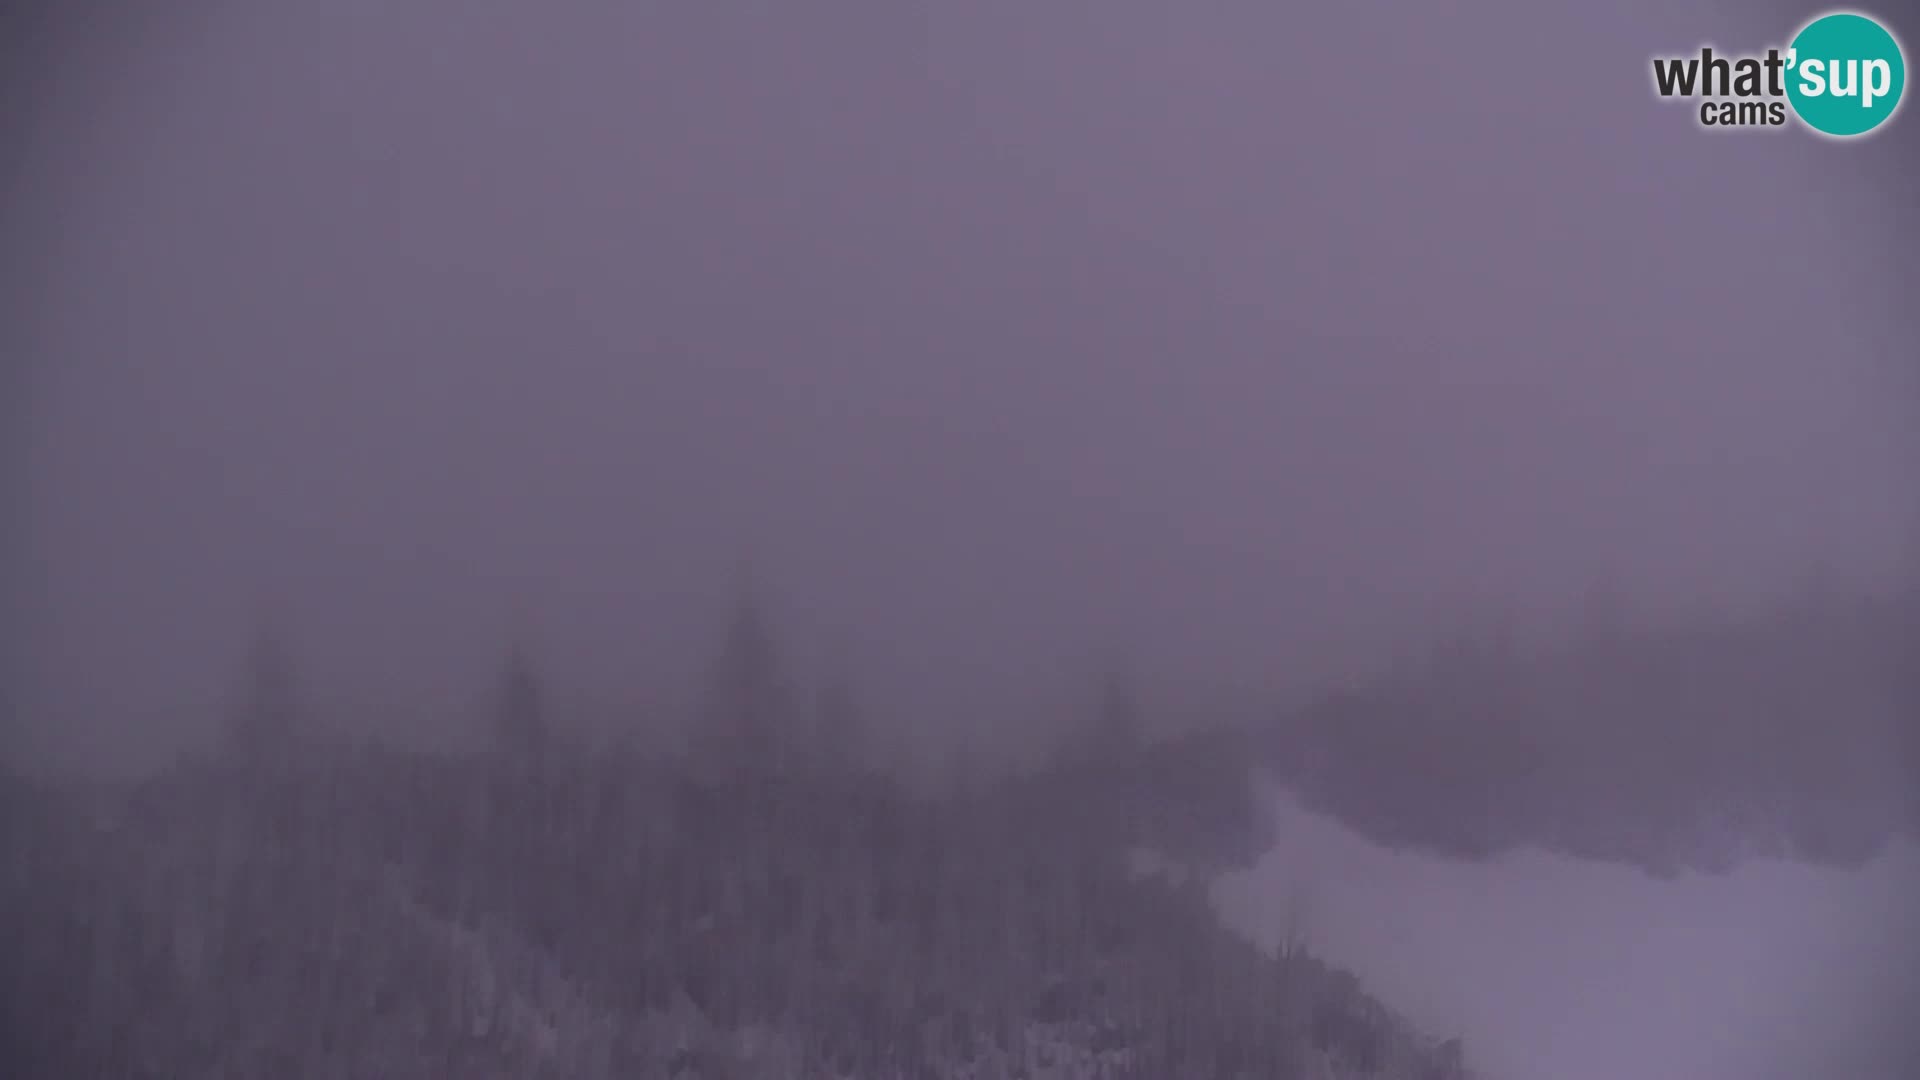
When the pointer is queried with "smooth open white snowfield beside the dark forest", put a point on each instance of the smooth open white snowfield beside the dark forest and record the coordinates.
(1568, 970)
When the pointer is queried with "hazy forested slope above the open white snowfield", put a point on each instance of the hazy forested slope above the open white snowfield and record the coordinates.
(1671, 747)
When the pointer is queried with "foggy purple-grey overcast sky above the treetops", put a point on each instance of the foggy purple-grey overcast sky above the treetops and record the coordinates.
(996, 337)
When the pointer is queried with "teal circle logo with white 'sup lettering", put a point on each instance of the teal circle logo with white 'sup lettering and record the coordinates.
(1846, 74)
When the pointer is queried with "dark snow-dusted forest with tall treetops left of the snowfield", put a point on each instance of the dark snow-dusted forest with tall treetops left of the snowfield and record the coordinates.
(757, 906)
